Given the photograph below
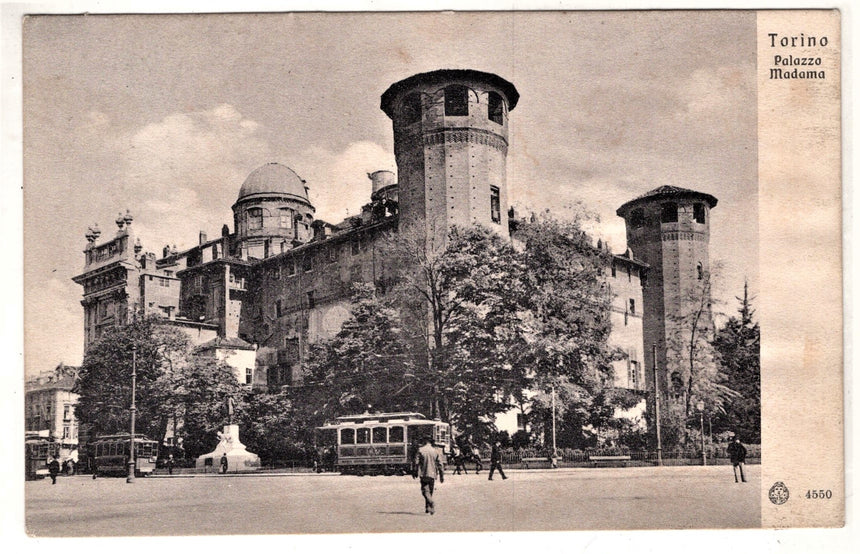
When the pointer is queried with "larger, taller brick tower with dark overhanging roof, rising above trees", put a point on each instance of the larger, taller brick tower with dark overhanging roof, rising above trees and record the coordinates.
(451, 144)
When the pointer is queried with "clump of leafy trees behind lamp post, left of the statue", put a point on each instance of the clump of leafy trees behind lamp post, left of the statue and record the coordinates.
(172, 385)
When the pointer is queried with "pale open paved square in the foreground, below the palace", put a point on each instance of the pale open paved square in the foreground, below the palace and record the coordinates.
(567, 499)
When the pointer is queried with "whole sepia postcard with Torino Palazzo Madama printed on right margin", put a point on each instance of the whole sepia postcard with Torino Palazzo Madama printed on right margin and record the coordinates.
(385, 272)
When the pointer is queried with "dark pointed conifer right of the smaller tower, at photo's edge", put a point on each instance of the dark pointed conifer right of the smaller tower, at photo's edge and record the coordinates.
(738, 345)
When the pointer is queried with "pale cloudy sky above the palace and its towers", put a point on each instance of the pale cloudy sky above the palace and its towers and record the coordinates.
(167, 115)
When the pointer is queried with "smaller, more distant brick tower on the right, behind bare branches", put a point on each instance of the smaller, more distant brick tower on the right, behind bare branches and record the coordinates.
(668, 228)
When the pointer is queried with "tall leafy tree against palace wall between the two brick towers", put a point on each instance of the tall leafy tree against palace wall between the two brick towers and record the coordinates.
(569, 351)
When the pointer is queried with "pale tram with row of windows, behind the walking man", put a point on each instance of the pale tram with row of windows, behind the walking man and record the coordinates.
(369, 444)
